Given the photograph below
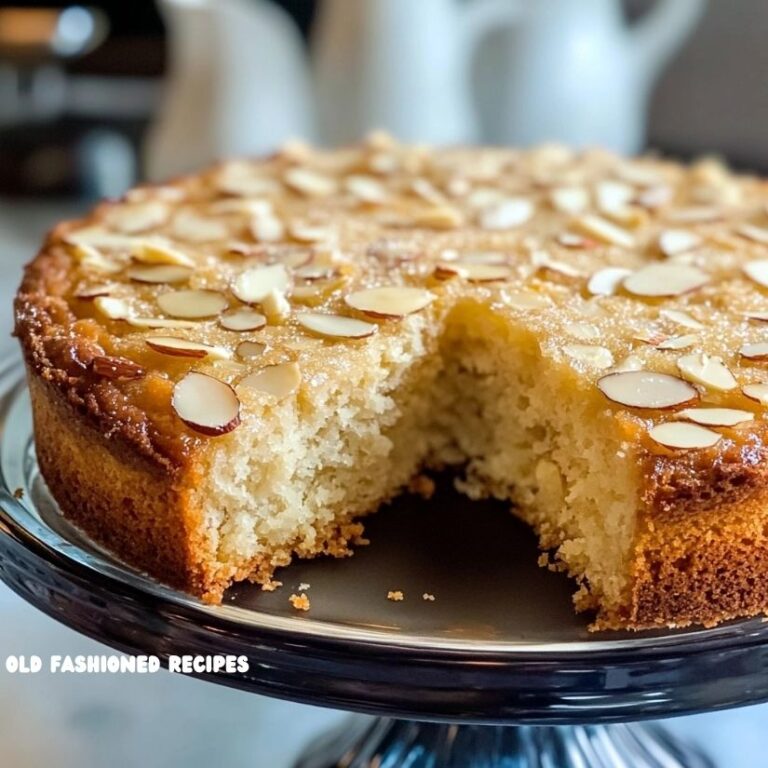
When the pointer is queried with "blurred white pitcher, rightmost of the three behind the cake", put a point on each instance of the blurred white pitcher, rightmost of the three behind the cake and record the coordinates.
(574, 71)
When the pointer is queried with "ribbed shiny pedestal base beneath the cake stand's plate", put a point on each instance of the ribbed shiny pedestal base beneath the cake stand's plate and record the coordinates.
(386, 743)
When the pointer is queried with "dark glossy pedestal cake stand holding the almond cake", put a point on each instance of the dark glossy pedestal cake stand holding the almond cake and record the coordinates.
(496, 671)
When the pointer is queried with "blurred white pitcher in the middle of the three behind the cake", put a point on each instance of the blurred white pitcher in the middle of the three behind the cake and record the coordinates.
(400, 65)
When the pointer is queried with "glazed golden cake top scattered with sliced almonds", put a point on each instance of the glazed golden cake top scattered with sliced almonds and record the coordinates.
(645, 277)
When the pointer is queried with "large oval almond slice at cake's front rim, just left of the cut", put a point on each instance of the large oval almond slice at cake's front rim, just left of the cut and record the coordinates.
(206, 404)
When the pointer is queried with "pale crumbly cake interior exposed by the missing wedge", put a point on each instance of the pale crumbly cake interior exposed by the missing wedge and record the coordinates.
(477, 394)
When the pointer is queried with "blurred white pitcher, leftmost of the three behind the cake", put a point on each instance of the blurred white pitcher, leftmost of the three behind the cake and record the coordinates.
(238, 84)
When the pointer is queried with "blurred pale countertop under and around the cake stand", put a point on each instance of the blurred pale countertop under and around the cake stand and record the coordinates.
(166, 721)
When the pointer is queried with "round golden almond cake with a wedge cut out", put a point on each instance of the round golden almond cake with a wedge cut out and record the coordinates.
(229, 370)
